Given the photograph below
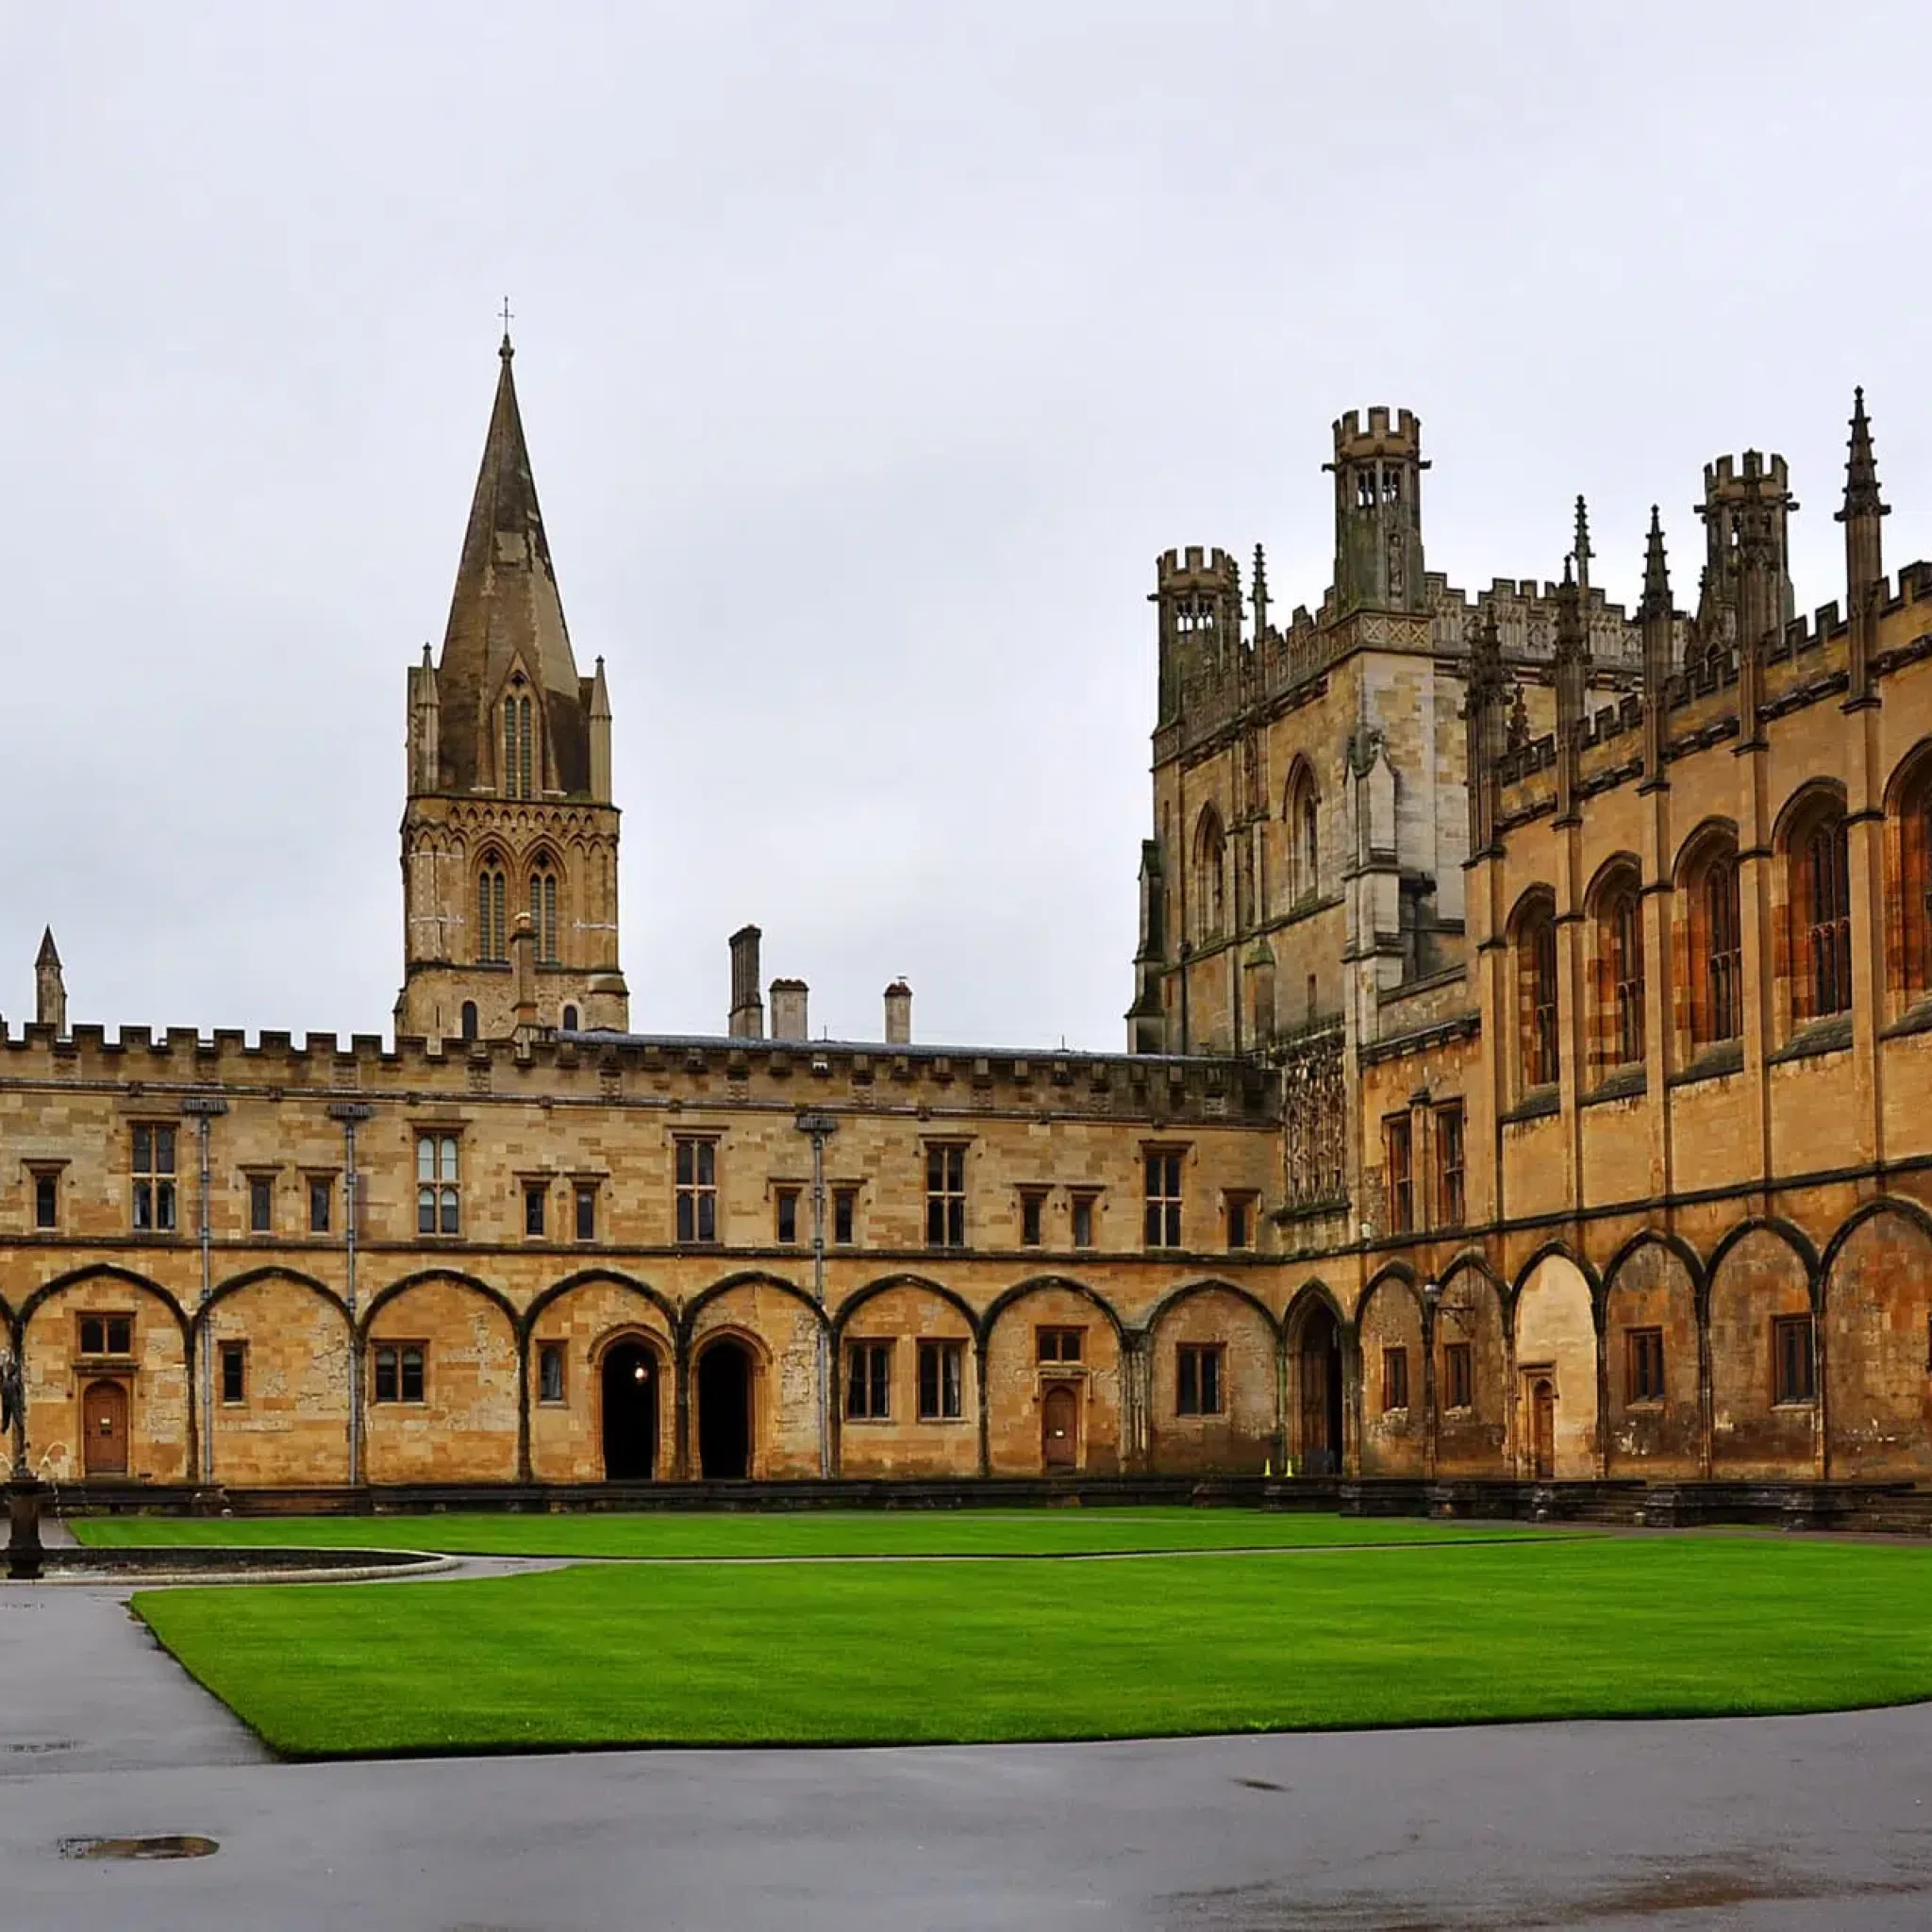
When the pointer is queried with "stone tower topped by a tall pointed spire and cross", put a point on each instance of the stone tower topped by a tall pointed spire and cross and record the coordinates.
(509, 793)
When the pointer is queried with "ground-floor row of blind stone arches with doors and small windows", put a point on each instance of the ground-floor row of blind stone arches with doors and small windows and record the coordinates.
(1769, 1355)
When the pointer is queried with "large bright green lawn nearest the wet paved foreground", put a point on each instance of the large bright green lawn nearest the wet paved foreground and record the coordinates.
(710, 1655)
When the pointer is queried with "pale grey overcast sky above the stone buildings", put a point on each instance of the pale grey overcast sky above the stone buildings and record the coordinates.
(868, 358)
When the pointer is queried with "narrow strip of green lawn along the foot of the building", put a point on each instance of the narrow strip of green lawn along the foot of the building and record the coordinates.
(797, 1535)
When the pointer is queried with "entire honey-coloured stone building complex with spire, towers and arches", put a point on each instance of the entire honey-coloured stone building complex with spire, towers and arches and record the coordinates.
(1527, 1077)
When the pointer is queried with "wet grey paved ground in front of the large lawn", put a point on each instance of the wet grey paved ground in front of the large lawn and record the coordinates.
(1790, 1823)
